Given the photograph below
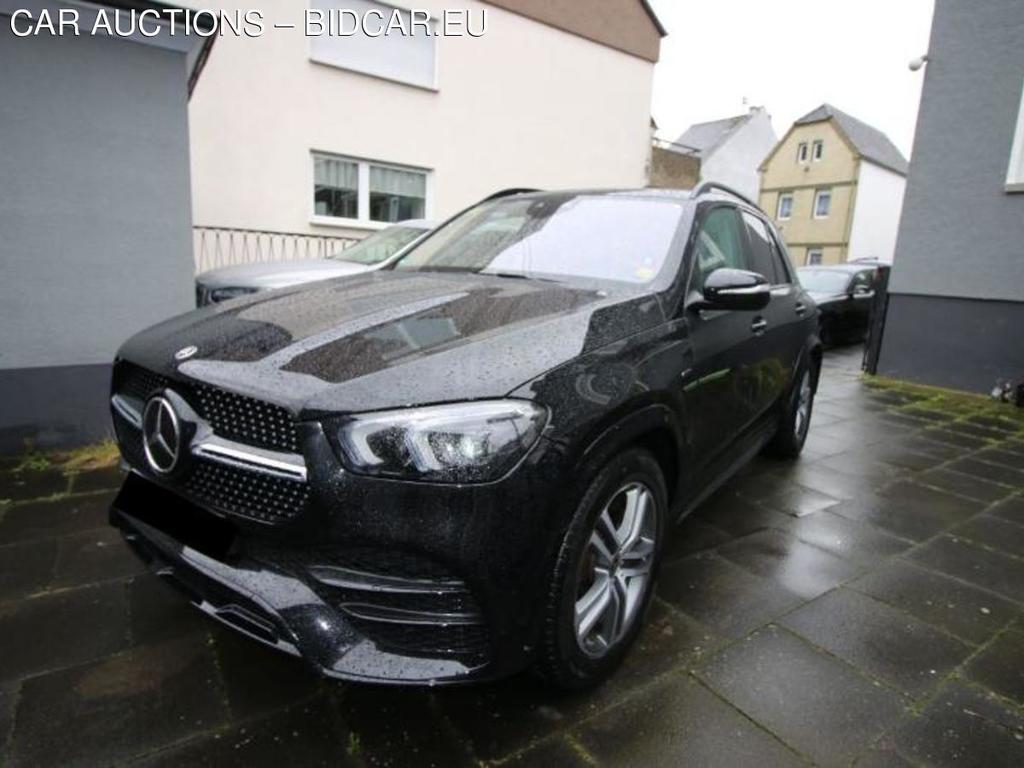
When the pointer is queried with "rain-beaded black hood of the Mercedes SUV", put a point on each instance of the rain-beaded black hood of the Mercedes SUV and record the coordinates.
(336, 348)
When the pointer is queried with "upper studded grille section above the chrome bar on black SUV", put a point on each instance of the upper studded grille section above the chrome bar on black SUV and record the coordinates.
(232, 416)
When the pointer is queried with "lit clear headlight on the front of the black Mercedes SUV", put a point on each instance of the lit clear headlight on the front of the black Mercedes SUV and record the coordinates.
(464, 443)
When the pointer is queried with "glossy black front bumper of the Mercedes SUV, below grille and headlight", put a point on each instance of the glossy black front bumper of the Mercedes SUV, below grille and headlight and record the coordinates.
(374, 619)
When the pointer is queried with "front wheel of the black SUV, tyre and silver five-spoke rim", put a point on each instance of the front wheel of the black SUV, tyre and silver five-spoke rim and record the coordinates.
(573, 657)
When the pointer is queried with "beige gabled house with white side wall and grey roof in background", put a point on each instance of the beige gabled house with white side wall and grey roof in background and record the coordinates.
(835, 186)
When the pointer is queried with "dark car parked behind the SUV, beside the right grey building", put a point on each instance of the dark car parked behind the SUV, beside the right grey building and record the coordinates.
(845, 295)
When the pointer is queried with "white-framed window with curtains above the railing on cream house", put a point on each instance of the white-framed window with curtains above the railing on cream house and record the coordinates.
(360, 191)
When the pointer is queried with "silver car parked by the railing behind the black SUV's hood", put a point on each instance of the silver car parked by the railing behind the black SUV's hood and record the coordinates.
(372, 253)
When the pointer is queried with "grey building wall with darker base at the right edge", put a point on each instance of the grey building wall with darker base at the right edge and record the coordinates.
(957, 310)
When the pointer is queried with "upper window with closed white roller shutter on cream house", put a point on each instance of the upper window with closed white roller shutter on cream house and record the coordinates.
(353, 39)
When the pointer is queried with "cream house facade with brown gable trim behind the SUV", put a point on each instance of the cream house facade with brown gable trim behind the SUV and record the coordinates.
(335, 136)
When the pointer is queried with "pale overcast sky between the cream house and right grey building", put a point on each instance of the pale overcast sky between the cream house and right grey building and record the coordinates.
(791, 57)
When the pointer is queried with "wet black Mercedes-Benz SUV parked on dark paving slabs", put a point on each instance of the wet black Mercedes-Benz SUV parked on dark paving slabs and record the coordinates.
(470, 463)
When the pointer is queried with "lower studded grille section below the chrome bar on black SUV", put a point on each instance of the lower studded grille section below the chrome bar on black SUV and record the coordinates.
(241, 492)
